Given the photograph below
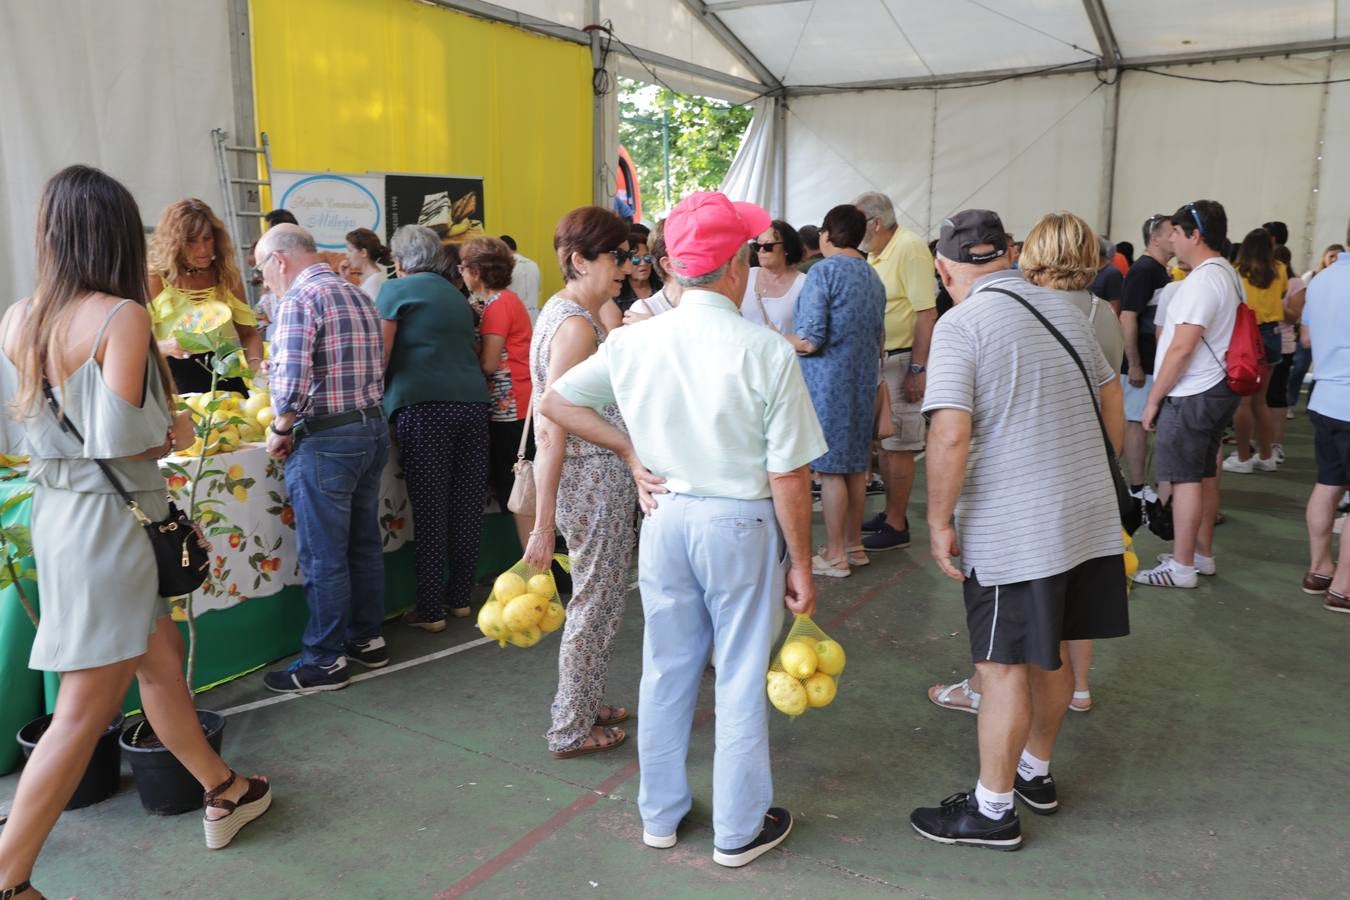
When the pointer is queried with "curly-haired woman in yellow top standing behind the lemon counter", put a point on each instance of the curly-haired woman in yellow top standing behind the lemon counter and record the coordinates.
(195, 287)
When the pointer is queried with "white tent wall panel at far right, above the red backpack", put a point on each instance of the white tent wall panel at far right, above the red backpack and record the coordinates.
(1251, 148)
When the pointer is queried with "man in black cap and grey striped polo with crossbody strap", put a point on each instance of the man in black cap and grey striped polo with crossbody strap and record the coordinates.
(1039, 524)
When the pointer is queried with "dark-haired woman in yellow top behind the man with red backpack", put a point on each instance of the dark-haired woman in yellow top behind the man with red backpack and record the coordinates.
(1264, 283)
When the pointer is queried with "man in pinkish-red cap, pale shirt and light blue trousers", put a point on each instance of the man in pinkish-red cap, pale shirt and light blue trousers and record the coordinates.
(720, 426)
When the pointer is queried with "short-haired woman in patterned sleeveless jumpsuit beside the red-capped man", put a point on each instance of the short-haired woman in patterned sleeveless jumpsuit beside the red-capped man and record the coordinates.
(585, 489)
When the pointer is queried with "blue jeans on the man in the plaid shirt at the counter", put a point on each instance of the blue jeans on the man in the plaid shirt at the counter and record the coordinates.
(334, 484)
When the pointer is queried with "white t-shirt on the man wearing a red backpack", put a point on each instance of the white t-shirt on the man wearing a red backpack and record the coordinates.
(1209, 298)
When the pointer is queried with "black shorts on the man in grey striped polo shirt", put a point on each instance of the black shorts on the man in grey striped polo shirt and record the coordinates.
(1023, 624)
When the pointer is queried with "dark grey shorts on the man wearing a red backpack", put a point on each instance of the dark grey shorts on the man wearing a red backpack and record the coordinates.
(1190, 431)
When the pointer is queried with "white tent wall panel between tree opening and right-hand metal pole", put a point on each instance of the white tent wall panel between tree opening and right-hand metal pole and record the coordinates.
(1020, 148)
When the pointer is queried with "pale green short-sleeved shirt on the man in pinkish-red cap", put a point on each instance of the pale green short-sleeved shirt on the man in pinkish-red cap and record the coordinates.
(713, 403)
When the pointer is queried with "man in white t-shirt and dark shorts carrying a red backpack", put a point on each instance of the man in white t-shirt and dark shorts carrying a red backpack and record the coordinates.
(1190, 404)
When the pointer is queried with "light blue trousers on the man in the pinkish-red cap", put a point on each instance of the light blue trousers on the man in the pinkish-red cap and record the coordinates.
(712, 574)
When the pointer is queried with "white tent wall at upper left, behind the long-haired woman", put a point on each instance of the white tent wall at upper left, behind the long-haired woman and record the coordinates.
(133, 88)
